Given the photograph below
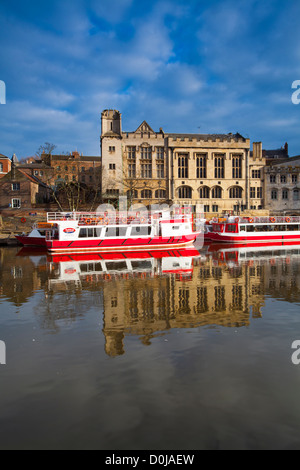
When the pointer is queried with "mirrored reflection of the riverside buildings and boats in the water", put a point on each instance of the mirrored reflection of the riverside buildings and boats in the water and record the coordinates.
(147, 294)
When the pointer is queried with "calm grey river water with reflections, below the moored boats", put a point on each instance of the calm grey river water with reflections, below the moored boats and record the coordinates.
(189, 350)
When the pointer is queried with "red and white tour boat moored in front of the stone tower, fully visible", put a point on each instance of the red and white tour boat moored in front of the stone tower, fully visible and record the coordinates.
(80, 232)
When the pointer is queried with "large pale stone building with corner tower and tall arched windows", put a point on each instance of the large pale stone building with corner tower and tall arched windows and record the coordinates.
(216, 170)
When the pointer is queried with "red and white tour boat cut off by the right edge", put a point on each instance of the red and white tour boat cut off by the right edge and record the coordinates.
(257, 230)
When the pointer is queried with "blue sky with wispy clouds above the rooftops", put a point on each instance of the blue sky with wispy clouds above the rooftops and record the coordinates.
(187, 66)
